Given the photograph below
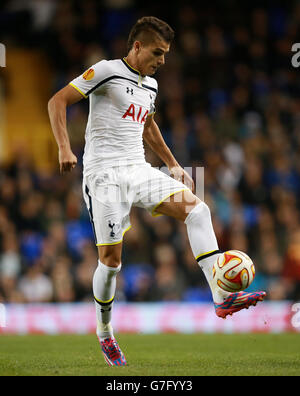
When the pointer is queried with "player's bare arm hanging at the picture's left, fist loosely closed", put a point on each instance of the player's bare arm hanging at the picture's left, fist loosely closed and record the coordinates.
(57, 109)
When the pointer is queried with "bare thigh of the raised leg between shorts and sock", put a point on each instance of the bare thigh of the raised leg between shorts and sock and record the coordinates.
(178, 205)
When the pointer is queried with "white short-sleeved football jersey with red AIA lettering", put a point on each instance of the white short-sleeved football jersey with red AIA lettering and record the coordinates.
(120, 101)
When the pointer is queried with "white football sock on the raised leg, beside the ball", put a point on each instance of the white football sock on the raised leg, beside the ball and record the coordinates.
(204, 245)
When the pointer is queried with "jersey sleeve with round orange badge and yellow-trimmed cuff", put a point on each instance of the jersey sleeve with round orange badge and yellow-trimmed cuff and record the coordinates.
(89, 81)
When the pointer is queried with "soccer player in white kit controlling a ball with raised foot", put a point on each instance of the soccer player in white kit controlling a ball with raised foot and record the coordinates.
(122, 95)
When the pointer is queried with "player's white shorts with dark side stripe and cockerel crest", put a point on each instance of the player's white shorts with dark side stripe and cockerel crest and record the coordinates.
(110, 194)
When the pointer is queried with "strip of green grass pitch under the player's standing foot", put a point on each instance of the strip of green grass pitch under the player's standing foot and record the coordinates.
(153, 355)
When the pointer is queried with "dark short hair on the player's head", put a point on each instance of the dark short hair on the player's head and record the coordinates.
(148, 28)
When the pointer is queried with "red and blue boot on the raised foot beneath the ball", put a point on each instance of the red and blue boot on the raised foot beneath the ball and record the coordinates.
(237, 301)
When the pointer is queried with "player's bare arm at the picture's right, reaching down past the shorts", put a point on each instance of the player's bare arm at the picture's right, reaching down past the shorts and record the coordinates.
(153, 137)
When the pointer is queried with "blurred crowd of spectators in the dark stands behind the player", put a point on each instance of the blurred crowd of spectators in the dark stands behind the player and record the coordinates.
(228, 101)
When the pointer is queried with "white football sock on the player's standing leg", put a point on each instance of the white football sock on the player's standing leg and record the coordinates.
(104, 287)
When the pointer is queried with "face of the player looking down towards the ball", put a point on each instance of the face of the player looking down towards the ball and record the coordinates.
(152, 56)
